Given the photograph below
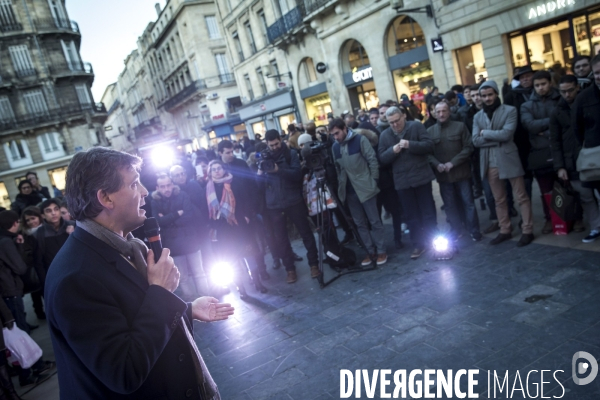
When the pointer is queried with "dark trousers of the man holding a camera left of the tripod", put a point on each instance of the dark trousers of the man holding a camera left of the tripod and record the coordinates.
(298, 214)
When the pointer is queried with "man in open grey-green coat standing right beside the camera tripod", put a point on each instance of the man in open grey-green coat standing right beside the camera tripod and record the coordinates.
(358, 172)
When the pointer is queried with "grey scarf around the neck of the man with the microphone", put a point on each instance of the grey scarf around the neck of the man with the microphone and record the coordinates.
(132, 248)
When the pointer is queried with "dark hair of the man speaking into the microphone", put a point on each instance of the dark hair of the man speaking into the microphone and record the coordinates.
(90, 171)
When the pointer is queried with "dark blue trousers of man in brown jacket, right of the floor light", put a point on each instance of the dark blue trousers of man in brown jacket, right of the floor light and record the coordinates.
(457, 196)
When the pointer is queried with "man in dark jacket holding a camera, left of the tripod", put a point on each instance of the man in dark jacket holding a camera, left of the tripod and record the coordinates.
(280, 177)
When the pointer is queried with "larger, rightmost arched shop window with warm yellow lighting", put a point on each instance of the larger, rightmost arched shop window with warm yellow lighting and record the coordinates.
(408, 58)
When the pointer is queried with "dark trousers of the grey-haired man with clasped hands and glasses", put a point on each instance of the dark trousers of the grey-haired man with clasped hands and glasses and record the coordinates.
(418, 207)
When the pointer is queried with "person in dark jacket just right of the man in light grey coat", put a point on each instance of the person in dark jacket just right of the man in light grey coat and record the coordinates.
(535, 117)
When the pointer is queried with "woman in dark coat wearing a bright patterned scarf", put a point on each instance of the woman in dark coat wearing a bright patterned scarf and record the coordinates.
(229, 214)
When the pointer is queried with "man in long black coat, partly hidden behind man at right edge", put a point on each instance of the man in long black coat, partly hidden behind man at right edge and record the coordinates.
(565, 150)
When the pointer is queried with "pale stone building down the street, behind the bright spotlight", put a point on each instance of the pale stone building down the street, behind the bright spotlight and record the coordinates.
(177, 88)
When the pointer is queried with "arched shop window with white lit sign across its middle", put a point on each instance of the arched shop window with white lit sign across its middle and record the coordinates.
(358, 76)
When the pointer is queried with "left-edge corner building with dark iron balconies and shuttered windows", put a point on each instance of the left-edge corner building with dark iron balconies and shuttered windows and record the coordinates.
(47, 112)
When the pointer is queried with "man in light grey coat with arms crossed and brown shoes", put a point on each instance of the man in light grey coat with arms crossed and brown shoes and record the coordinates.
(493, 131)
